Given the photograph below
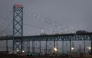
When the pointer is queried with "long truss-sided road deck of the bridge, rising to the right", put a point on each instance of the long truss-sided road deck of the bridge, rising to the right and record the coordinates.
(58, 37)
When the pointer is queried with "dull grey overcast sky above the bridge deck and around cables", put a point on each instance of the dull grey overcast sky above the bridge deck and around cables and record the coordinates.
(72, 13)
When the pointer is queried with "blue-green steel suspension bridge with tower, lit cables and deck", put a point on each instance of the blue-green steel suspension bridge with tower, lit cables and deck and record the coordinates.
(21, 42)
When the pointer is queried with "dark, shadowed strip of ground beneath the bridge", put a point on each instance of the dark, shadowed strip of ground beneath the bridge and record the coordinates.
(40, 56)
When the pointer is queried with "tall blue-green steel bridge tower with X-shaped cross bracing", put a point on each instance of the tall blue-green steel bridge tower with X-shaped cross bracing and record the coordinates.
(17, 27)
